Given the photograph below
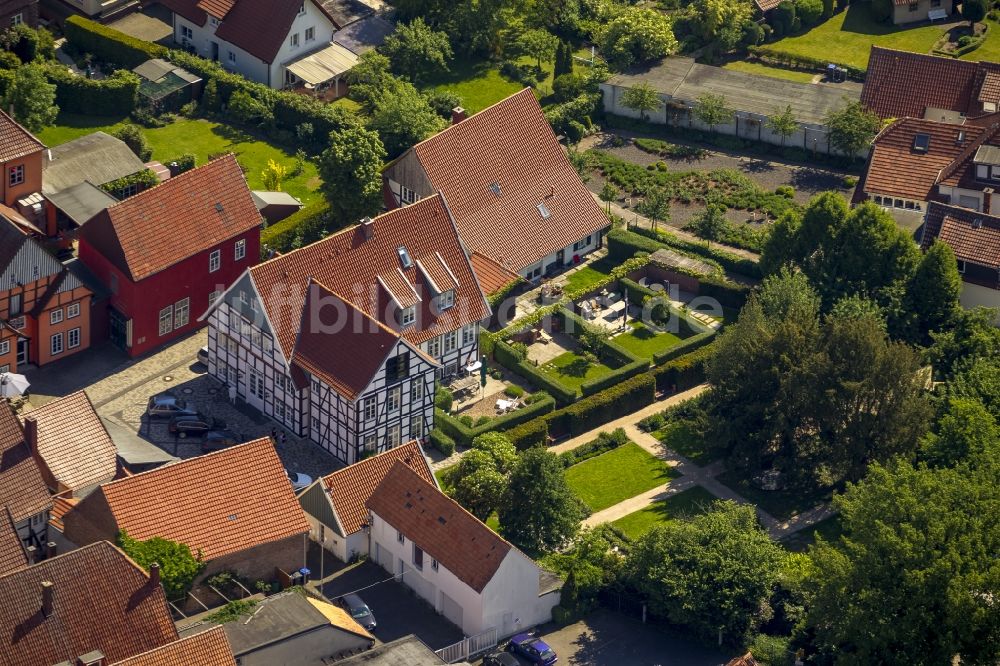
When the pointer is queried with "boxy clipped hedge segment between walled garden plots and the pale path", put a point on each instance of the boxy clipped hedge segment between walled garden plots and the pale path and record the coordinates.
(600, 408)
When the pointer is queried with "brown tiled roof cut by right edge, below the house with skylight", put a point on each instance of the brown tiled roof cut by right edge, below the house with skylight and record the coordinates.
(973, 236)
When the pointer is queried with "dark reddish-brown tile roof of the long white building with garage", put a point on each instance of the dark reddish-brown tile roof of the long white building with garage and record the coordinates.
(439, 526)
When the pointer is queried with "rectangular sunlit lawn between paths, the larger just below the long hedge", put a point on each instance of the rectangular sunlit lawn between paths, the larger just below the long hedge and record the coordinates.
(617, 475)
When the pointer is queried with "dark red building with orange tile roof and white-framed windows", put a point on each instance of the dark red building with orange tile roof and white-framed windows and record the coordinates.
(168, 252)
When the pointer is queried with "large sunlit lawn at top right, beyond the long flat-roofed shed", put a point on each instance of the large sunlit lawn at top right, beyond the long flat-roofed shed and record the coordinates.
(848, 37)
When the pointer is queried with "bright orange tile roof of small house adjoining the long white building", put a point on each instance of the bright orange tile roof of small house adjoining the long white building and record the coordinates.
(349, 488)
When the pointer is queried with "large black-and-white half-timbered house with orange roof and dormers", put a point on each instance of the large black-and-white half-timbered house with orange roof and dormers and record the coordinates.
(341, 341)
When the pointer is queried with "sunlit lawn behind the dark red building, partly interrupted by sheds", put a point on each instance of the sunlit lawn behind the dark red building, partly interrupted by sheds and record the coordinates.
(200, 138)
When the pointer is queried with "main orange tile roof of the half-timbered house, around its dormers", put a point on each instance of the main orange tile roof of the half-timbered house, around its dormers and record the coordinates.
(349, 264)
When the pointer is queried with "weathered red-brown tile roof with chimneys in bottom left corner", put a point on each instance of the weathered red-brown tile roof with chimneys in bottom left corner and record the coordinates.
(102, 601)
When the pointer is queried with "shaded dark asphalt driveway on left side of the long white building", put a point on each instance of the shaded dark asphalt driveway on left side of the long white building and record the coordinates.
(398, 611)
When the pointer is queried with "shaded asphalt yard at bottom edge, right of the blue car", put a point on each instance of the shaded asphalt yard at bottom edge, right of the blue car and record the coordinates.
(605, 638)
